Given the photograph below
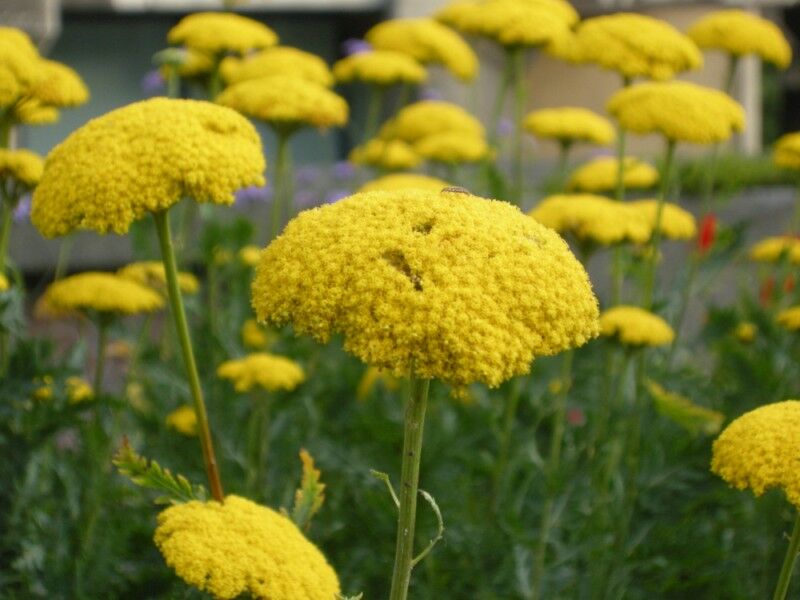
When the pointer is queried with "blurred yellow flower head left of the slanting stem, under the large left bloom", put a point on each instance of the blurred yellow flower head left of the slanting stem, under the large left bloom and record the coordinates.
(101, 292)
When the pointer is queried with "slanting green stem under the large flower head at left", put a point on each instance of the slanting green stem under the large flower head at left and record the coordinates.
(179, 317)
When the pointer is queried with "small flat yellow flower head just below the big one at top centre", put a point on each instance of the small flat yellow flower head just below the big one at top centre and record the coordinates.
(379, 67)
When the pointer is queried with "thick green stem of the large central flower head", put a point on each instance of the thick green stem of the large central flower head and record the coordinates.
(406, 521)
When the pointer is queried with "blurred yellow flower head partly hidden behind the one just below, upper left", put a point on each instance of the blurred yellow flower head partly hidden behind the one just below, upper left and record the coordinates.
(280, 60)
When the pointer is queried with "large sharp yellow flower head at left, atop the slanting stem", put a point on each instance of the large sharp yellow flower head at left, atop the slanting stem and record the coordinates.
(144, 158)
